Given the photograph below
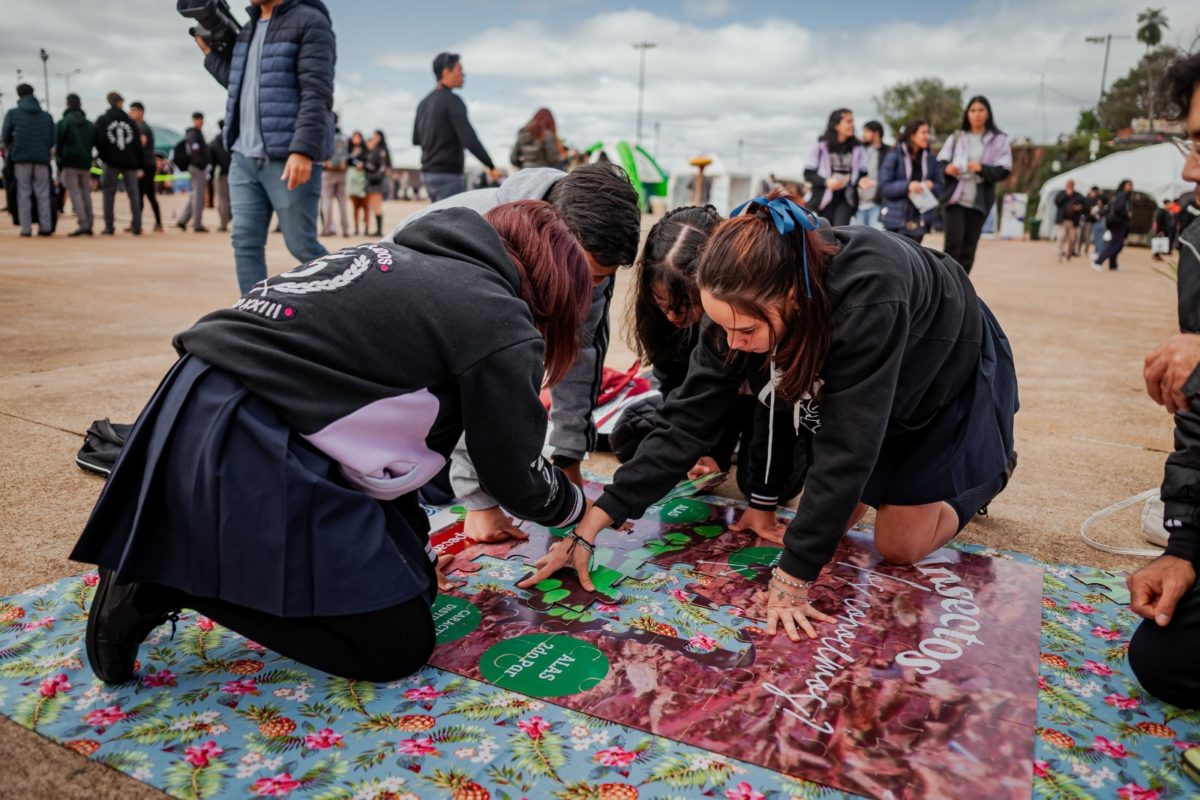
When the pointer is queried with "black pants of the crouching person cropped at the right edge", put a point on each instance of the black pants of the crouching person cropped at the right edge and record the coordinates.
(1167, 660)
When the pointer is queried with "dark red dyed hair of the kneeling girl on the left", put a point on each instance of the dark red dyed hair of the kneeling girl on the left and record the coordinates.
(556, 282)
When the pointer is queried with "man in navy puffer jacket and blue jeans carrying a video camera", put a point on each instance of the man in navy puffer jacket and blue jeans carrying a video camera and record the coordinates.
(279, 128)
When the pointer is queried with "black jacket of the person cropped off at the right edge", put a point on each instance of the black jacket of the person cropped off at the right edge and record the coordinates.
(1181, 482)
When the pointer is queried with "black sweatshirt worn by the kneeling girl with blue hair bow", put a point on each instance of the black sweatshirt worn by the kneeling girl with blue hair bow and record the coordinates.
(907, 332)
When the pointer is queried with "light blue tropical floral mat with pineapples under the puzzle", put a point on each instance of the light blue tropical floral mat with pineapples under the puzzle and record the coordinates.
(214, 715)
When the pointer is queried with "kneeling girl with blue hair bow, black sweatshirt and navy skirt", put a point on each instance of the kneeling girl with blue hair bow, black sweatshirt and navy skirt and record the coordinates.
(883, 350)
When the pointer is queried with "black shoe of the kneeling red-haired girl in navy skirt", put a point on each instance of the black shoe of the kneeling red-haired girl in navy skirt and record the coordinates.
(117, 628)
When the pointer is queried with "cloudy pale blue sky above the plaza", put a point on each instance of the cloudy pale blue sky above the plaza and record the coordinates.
(765, 74)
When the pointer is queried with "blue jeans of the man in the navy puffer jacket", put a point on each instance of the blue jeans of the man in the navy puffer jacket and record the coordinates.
(255, 191)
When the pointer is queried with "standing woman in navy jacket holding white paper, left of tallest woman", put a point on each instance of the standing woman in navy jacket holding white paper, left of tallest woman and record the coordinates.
(910, 171)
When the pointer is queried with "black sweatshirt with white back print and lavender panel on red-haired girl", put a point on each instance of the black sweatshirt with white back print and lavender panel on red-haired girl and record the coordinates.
(368, 354)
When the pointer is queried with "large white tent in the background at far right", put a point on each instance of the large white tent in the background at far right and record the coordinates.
(1155, 172)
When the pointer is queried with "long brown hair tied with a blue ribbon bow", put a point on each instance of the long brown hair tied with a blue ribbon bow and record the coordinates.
(751, 266)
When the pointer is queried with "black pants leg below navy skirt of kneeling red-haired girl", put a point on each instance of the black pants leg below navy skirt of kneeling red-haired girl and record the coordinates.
(380, 647)
